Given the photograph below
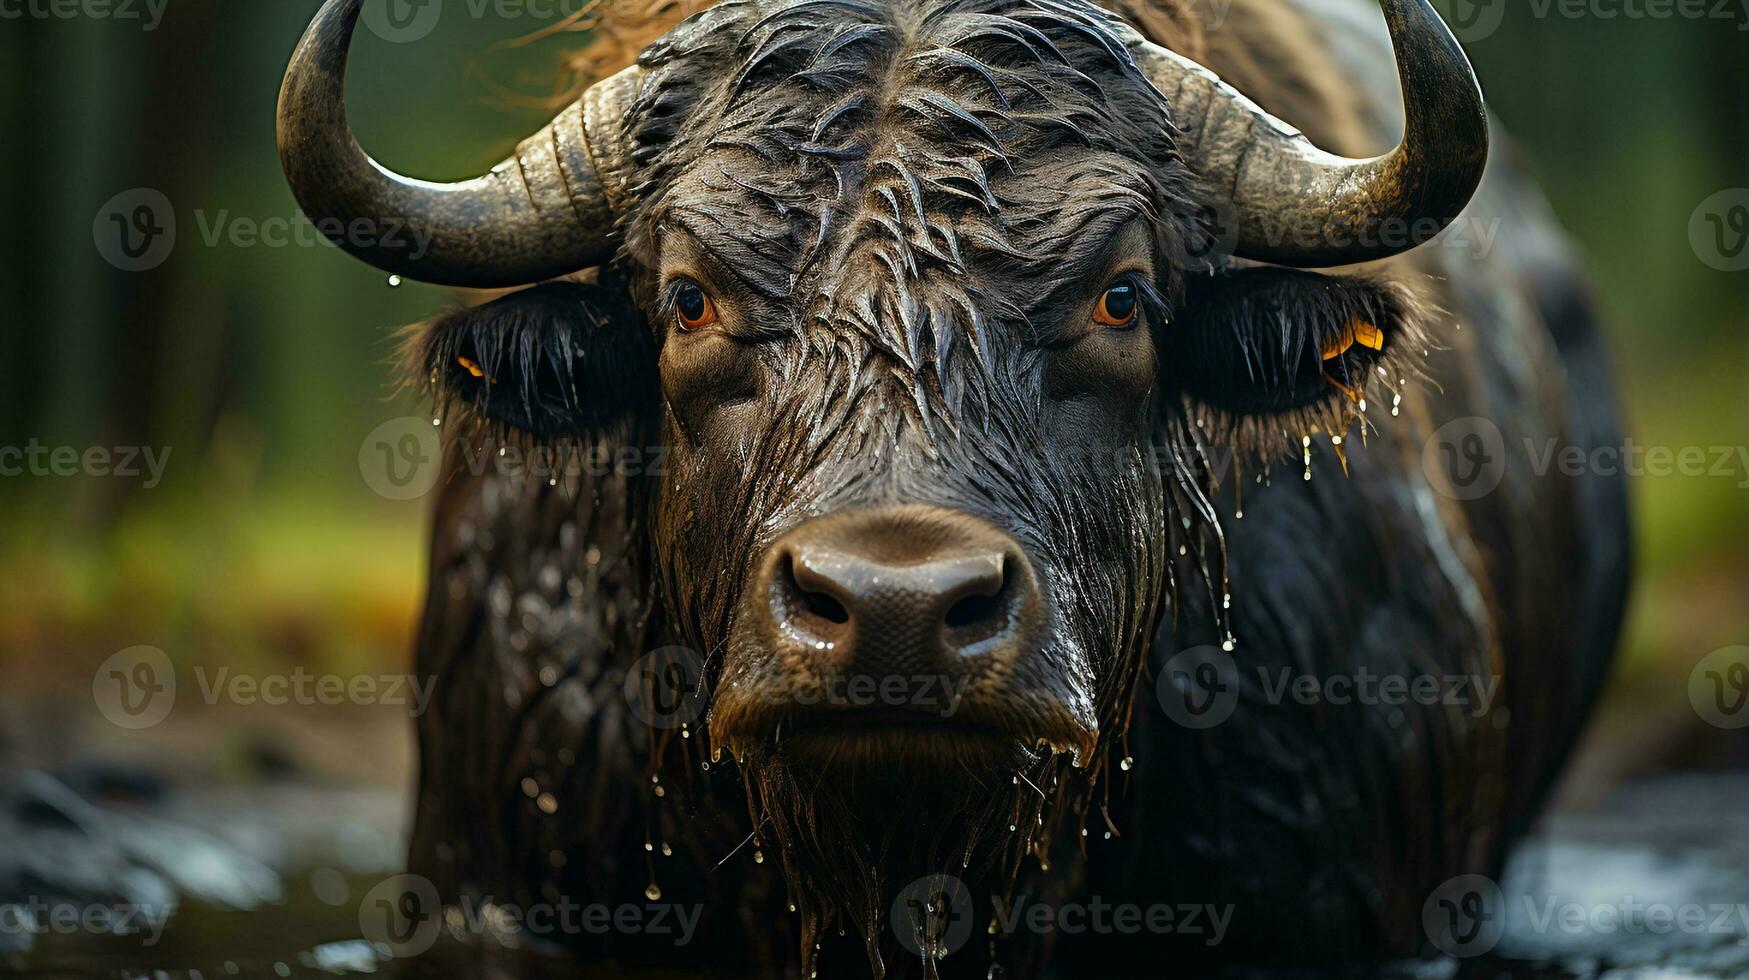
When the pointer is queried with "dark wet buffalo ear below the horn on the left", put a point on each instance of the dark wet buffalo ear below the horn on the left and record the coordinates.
(557, 361)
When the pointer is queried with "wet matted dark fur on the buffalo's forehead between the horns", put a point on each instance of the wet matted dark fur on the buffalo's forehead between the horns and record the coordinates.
(893, 169)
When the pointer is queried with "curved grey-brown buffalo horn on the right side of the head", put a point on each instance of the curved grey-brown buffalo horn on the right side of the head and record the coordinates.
(1299, 206)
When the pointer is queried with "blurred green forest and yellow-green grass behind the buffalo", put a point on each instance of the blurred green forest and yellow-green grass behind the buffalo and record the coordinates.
(263, 368)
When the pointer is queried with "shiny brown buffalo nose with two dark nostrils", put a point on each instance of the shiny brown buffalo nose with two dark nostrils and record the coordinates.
(905, 591)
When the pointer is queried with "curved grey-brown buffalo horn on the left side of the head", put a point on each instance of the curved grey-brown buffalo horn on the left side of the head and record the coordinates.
(545, 213)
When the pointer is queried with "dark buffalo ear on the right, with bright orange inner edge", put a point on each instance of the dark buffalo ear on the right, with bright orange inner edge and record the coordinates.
(1271, 342)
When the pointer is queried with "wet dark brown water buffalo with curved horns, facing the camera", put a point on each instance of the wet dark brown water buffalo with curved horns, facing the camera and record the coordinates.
(1000, 514)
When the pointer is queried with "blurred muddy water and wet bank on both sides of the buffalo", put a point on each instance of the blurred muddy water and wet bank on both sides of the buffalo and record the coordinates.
(268, 869)
